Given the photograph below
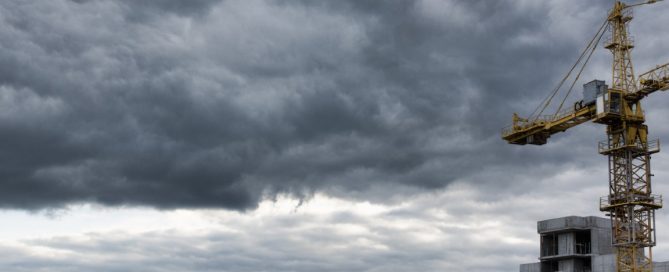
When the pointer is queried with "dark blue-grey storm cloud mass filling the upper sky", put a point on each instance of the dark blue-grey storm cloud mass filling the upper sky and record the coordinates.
(221, 103)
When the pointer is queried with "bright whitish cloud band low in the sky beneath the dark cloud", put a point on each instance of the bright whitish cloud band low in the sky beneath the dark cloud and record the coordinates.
(427, 233)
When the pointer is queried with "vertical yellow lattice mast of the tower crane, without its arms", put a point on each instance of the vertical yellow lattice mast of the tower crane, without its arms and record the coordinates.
(630, 203)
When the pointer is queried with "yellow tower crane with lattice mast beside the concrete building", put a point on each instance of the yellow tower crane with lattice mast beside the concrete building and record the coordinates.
(630, 202)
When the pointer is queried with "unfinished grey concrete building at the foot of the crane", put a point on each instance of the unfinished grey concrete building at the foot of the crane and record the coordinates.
(577, 244)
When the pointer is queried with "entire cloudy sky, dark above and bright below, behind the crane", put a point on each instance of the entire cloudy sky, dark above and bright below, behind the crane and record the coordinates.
(349, 135)
